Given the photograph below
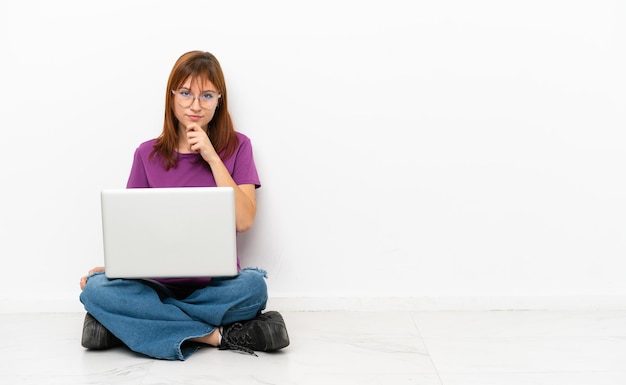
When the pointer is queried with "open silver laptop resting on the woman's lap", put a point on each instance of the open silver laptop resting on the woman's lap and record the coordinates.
(169, 232)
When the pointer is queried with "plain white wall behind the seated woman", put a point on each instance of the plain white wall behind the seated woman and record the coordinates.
(407, 149)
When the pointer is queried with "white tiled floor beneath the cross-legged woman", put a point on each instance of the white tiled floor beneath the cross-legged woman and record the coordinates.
(443, 348)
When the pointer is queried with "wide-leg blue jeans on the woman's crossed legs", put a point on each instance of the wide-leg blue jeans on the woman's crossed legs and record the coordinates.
(150, 321)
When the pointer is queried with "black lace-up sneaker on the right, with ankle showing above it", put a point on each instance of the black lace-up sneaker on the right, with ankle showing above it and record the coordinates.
(265, 333)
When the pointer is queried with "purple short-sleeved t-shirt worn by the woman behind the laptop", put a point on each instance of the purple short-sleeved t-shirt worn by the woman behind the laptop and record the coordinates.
(191, 171)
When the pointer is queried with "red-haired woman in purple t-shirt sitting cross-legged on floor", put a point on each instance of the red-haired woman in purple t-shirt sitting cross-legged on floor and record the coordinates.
(172, 318)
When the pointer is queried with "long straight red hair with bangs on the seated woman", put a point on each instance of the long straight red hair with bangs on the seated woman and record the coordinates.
(199, 66)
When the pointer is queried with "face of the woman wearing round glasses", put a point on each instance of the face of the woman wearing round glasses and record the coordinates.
(195, 101)
